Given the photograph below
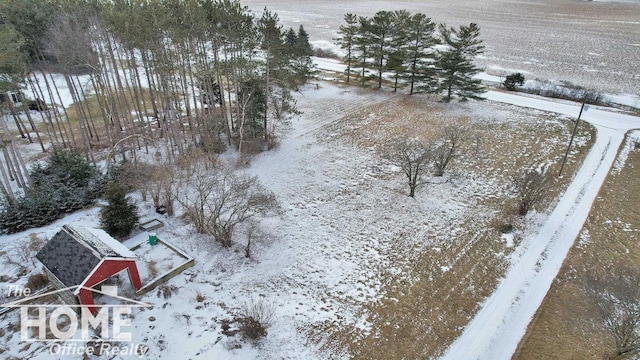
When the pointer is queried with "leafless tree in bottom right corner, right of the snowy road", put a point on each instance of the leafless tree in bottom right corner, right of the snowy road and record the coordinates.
(616, 294)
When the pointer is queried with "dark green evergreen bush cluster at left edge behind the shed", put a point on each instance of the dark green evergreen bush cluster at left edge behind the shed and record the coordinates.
(65, 183)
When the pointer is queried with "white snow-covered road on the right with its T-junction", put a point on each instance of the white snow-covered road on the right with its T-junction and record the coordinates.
(496, 330)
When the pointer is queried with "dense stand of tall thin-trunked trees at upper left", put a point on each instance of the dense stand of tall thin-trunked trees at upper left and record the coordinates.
(169, 74)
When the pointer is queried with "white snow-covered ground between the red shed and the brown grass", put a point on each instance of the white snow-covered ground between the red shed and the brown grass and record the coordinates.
(315, 263)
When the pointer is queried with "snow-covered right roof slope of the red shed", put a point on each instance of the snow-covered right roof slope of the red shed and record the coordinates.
(99, 241)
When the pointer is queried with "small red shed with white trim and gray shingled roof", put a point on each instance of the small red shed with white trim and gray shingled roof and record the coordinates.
(81, 257)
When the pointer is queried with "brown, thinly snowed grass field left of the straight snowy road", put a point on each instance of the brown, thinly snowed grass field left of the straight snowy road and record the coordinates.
(444, 267)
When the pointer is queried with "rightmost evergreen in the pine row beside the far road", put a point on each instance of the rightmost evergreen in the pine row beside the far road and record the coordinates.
(455, 64)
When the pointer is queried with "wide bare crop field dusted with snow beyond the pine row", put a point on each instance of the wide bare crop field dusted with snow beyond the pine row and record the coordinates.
(589, 43)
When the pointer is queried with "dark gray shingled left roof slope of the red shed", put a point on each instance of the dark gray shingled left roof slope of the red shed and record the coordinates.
(70, 261)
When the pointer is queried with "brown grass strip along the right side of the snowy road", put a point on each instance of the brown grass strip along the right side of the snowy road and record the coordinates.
(562, 328)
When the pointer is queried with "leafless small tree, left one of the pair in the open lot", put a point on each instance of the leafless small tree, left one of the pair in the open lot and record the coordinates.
(412, 157)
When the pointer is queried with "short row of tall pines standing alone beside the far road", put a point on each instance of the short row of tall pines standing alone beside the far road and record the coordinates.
(426, 57)
